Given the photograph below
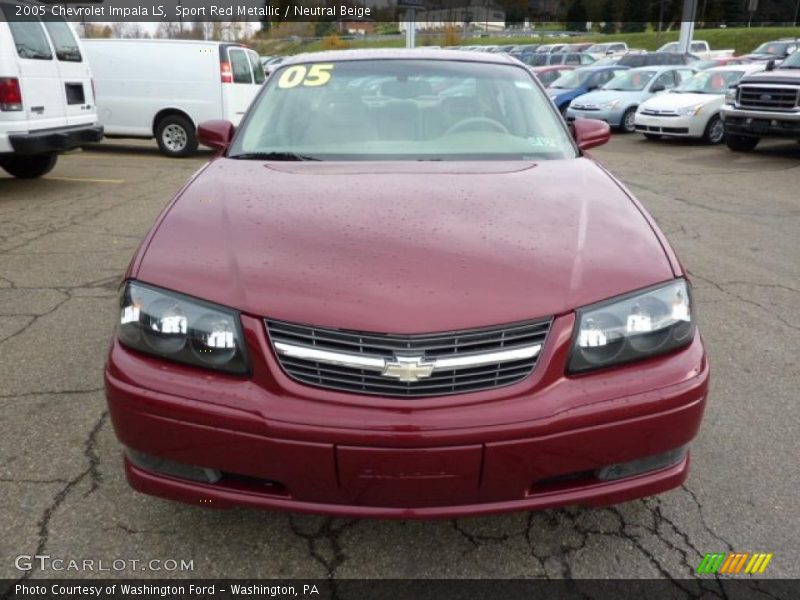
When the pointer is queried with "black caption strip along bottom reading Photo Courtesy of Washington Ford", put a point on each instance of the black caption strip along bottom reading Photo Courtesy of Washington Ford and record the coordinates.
(403, 589)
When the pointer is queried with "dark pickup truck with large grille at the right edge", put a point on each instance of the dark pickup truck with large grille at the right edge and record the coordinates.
(764, 105)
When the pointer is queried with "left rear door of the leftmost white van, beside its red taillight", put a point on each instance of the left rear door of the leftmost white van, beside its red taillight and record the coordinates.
(40, 83)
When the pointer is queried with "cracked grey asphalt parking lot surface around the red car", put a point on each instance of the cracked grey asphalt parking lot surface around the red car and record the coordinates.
(65, 242)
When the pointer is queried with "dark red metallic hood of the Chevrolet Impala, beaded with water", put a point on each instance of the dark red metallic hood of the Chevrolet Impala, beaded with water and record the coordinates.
(403, 247)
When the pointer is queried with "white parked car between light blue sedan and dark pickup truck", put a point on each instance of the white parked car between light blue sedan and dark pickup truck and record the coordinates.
(693, 109)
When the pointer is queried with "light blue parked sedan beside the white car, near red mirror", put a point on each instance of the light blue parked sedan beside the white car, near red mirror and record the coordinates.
(616, 102)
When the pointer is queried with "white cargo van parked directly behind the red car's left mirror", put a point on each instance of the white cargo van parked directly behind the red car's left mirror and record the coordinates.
(166, 88)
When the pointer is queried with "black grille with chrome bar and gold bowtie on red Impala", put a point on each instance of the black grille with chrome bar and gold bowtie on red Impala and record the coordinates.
(501, 342)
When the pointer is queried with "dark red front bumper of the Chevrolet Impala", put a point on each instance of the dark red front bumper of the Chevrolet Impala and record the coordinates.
(277, 449)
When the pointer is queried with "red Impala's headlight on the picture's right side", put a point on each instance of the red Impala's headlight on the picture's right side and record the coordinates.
(632, 327)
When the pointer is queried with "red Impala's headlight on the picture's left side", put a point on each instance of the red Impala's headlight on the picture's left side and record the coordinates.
(176, 327)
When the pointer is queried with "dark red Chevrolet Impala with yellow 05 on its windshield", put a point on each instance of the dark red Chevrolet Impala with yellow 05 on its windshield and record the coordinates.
(380, 301)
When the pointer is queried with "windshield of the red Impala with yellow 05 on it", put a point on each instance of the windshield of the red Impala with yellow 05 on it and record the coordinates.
(398, 109)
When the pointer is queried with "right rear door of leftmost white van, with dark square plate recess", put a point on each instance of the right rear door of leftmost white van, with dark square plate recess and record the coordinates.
(73, 68)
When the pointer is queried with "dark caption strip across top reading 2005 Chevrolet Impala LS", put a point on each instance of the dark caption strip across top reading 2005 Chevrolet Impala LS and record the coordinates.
(489, 14)
